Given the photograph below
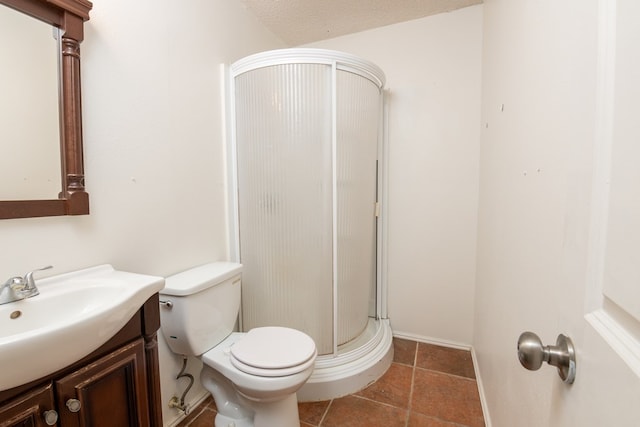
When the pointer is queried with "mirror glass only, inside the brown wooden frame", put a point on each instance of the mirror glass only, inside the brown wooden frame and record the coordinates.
(29, 86)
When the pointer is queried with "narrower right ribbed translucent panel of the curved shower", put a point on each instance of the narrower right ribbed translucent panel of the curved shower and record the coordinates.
(357, 115)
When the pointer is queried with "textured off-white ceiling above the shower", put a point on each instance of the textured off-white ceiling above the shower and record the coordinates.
(298, 22)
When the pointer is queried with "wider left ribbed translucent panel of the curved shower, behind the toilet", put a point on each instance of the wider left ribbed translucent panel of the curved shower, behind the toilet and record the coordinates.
(283, 143)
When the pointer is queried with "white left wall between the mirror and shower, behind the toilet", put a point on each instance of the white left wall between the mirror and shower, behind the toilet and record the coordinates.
(154, 151)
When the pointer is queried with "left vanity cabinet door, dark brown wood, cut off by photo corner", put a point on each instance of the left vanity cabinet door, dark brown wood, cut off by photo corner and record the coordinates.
(29, 409)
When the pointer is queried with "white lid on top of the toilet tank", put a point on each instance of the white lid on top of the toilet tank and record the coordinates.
(200, 278)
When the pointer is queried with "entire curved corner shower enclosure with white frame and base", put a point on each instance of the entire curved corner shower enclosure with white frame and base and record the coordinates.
(306, 154)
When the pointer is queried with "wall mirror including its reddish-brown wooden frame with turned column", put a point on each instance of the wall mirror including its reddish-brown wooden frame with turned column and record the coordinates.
(67, 16)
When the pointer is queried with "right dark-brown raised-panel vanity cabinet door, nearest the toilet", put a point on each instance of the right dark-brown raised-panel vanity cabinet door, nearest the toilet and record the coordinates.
(112, 391)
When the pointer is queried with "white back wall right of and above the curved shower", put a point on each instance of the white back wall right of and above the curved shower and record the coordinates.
(433, 69)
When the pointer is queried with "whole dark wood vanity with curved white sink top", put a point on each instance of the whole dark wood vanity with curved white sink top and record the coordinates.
(110, 317)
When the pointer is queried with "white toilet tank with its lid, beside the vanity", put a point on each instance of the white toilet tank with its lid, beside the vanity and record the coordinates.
(200, 307)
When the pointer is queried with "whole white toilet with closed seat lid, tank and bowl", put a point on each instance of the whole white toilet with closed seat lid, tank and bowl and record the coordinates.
(253, 376)
